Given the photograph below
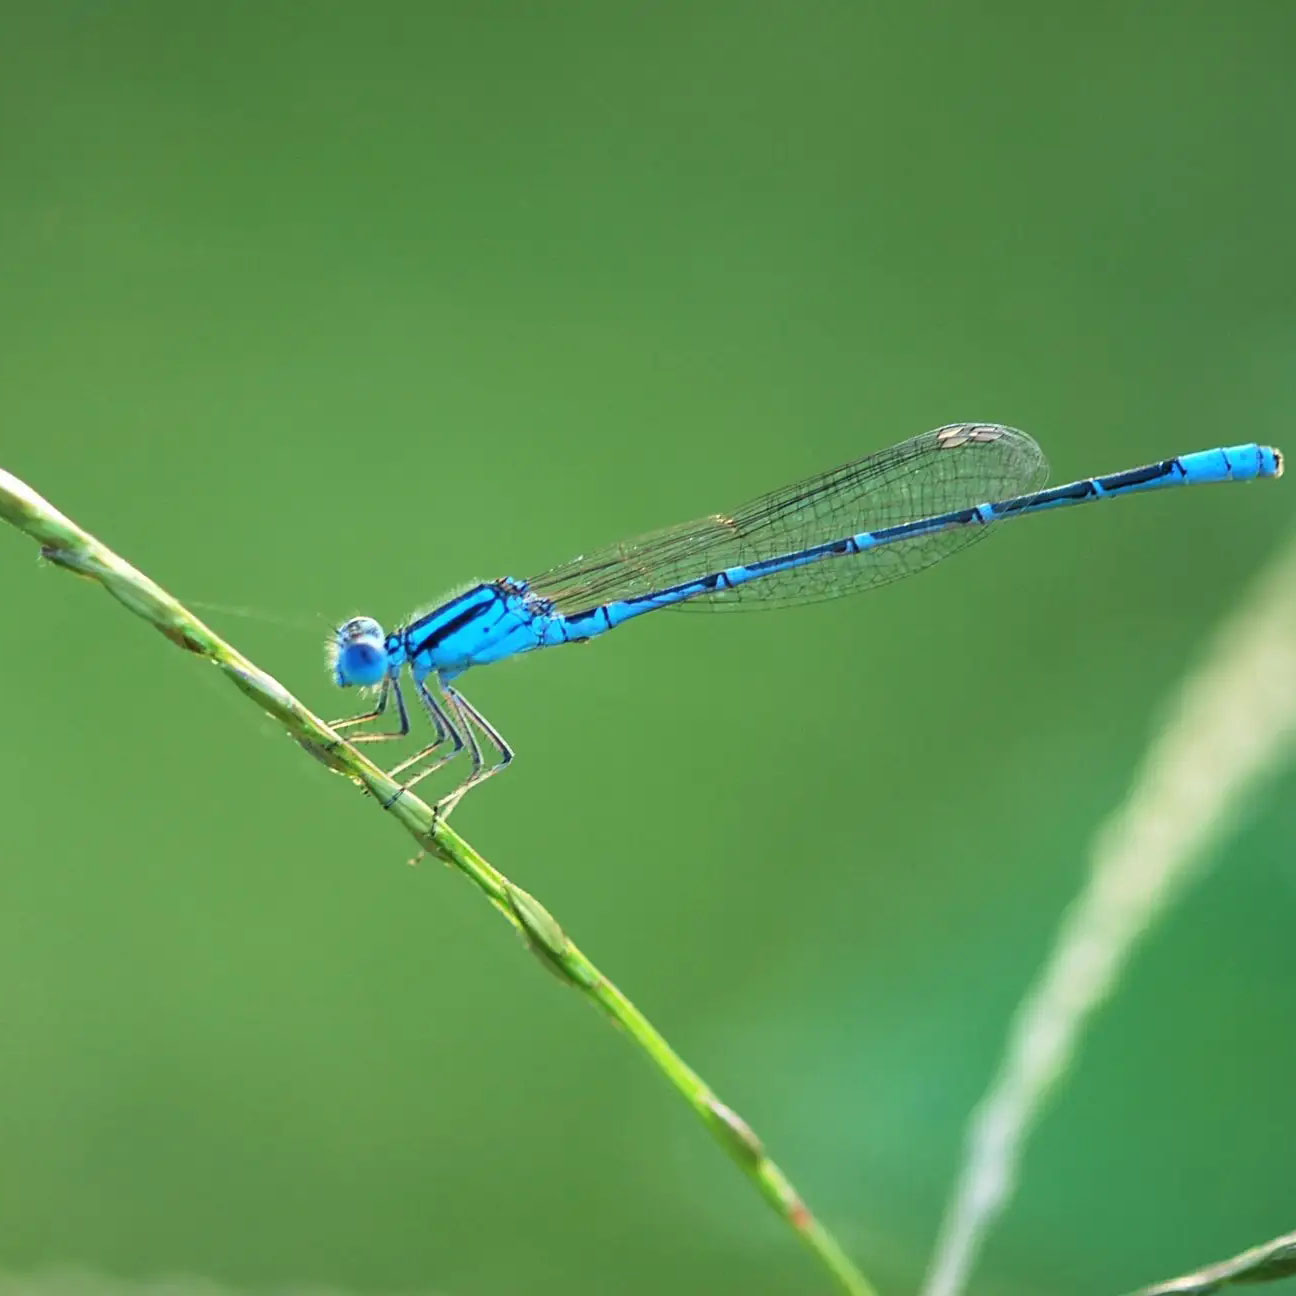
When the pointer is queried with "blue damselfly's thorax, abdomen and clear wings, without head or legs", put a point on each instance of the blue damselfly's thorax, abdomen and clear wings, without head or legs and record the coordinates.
(925, 500)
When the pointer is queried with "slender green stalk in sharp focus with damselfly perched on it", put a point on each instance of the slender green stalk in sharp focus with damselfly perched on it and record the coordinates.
(65, 545)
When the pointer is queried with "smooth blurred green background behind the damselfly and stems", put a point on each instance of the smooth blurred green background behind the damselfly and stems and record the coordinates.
(323, 309)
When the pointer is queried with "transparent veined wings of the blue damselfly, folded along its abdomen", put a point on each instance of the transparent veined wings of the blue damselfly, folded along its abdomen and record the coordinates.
(939, 472)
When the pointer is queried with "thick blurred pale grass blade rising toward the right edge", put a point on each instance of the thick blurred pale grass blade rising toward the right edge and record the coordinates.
(1234, 721)
